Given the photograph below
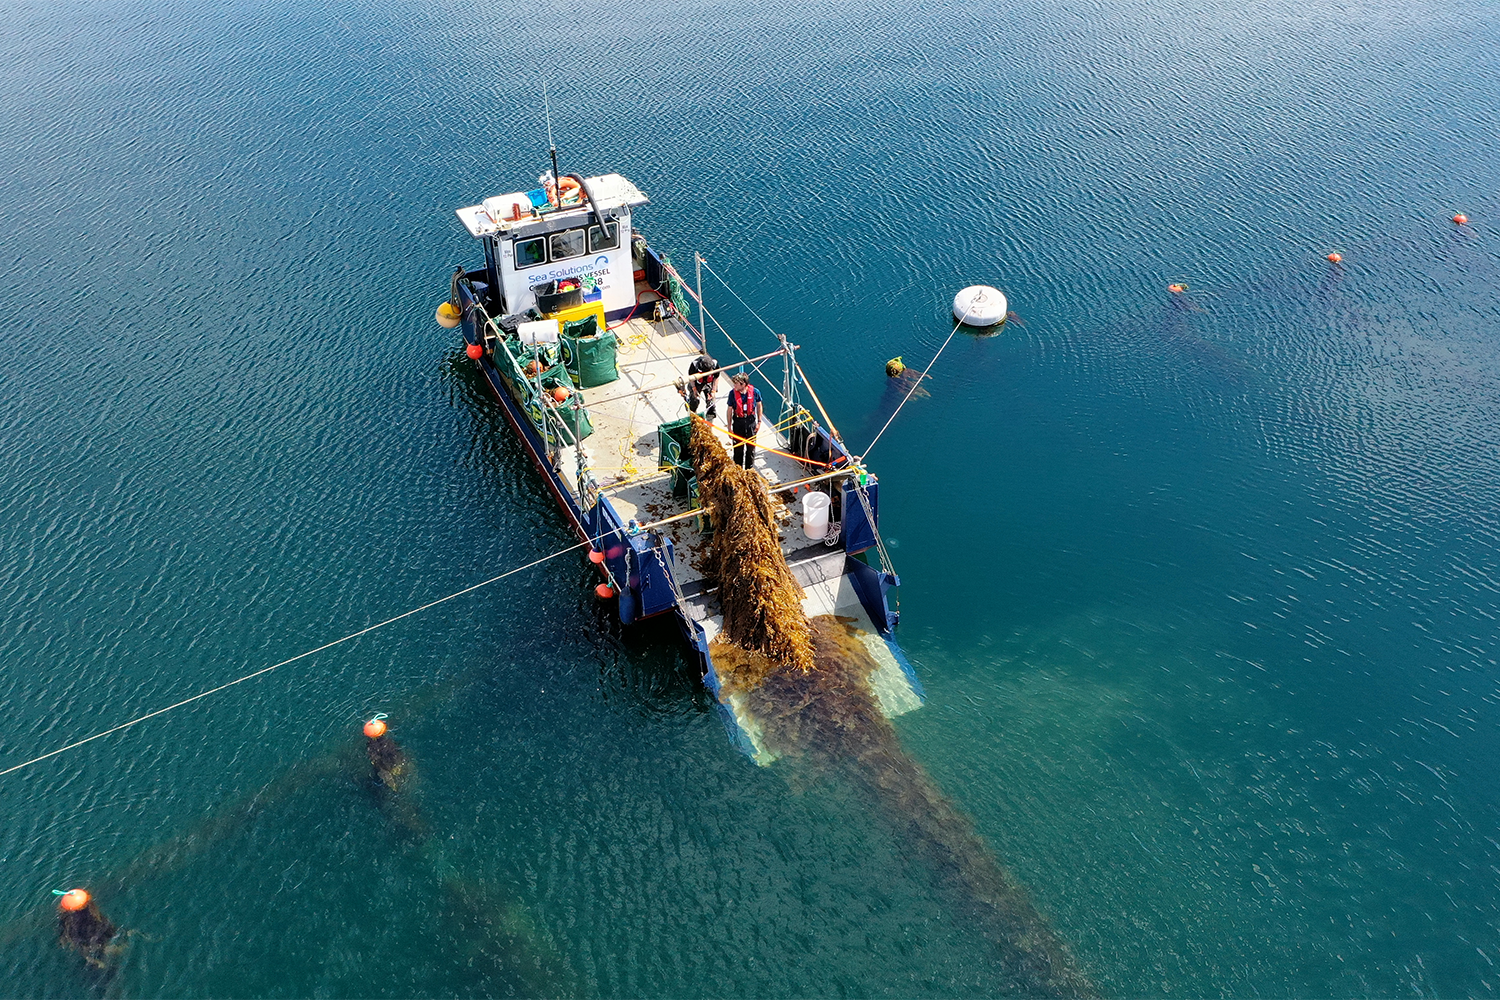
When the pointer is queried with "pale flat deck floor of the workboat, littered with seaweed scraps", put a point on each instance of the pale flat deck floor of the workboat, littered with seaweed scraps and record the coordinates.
(625, 452)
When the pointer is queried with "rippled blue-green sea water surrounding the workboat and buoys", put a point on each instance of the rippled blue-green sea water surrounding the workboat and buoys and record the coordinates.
(1204, 591)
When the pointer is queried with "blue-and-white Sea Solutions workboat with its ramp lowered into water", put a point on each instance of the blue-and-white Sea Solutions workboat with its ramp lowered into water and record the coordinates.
(584, 332)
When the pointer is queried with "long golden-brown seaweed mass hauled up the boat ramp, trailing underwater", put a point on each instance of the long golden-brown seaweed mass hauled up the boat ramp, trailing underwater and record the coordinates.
(808, 683)
